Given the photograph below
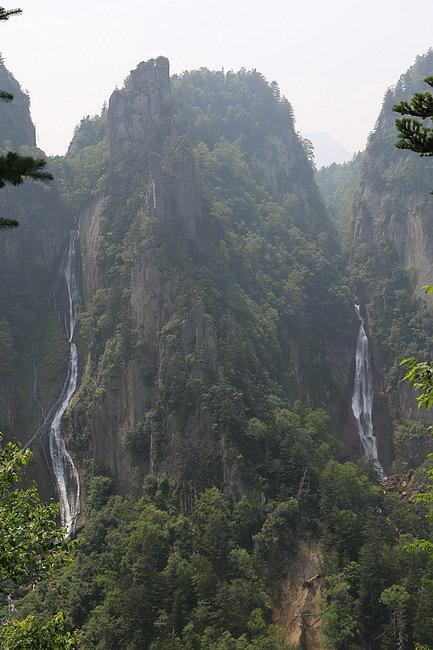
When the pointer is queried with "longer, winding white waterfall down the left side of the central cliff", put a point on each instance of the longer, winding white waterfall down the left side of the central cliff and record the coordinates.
(65, 472)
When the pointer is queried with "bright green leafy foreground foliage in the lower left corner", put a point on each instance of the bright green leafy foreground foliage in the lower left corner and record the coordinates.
(31, 547)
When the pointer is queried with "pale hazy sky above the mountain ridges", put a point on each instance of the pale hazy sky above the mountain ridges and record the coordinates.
(333, 60)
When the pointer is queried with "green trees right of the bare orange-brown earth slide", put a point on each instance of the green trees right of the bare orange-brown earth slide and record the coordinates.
(369, 567)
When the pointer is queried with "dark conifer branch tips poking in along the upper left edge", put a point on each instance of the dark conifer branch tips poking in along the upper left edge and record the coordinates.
(14, 169)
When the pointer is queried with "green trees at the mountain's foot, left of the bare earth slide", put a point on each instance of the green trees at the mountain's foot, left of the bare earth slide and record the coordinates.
(178, 576)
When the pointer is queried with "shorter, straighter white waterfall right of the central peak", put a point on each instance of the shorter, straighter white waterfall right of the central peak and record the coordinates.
(362, 398)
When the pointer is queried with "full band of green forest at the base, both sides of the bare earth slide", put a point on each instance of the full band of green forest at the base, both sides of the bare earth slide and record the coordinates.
(190, 579)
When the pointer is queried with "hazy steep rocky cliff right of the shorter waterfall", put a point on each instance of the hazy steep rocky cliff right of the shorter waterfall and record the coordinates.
(393, 224)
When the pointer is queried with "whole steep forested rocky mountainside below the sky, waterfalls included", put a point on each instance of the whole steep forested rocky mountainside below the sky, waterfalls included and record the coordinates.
(178, 306)
